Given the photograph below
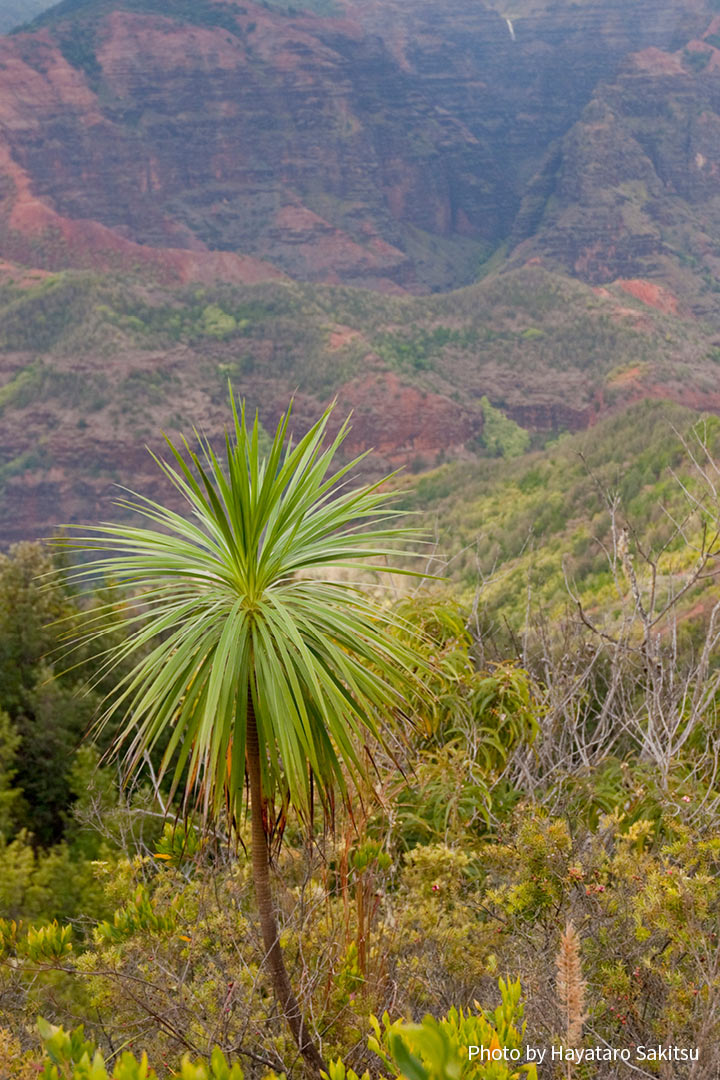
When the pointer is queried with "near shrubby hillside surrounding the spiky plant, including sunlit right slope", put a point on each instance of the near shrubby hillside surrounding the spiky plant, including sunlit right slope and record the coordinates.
(556, 805)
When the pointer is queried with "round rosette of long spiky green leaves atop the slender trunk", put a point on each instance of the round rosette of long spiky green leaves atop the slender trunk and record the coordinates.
(240, 604)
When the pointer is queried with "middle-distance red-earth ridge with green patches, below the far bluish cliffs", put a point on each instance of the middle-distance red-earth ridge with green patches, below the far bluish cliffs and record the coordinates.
(94, 368)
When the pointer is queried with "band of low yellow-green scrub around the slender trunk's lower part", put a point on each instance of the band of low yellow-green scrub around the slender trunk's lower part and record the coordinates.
(444, 927)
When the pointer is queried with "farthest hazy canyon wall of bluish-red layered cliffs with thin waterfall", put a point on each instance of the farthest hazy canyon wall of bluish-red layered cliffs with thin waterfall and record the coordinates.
(398, 144)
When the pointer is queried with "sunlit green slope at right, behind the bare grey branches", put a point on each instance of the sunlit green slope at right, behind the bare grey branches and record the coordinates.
(542, 521)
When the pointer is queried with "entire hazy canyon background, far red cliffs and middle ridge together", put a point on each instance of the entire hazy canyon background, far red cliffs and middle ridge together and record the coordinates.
(554, 170)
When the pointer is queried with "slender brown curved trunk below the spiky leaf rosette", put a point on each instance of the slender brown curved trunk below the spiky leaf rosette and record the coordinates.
(281, 982)
